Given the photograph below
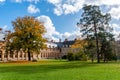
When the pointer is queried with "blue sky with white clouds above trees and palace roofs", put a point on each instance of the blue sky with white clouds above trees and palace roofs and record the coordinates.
(59, 16)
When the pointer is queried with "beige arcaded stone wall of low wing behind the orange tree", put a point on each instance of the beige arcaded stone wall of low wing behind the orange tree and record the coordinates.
(21, 55)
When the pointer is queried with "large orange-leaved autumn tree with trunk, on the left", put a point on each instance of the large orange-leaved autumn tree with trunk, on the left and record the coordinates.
(27, 35)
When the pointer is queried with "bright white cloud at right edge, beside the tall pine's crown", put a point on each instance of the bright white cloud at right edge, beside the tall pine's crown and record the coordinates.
(115, 12)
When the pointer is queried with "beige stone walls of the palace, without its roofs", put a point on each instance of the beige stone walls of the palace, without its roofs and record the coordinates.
(51, 53)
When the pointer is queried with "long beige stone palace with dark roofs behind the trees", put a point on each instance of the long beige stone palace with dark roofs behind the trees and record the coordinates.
(55, 50)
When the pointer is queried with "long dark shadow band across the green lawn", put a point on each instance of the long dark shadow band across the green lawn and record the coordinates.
(44, 68)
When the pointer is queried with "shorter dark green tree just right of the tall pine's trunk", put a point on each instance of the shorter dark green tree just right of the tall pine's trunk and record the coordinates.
(106, 43)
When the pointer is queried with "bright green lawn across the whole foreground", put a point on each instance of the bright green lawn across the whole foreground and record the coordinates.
(59, 70)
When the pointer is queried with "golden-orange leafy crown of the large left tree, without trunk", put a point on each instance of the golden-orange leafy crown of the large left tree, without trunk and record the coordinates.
(27, 30)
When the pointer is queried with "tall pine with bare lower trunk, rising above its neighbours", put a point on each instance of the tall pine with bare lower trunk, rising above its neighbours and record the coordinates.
(92, 22)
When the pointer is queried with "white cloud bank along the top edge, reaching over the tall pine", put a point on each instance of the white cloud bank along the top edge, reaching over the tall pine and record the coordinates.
(74, 6)
